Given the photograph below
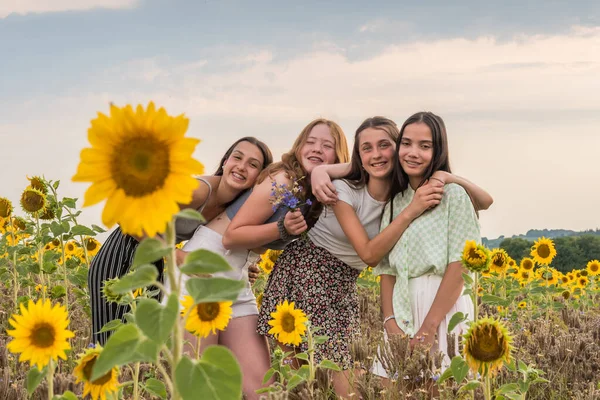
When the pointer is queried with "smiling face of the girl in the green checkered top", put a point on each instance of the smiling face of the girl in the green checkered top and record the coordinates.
(416, 151)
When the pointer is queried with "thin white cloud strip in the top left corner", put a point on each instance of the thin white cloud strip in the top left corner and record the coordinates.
(24, 7)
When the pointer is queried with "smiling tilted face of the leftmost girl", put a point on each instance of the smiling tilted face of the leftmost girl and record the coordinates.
(243, 166)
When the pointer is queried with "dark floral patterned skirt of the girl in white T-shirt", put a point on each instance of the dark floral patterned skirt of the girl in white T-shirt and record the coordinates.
(324, 288)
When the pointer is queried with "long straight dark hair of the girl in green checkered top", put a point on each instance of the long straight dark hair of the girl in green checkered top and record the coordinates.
(439, 162)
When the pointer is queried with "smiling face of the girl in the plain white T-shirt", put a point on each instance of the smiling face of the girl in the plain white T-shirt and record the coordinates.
(376, 149)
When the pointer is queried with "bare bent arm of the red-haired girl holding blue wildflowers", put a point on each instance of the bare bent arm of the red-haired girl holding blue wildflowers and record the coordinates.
(248, 230)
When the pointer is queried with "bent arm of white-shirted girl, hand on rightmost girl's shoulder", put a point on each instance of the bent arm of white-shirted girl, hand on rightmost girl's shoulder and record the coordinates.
(371, 251)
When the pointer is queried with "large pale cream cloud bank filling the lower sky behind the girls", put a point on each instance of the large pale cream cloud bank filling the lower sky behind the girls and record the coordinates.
(522, 115)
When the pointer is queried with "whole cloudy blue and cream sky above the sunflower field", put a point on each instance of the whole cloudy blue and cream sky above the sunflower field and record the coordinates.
(517, 83)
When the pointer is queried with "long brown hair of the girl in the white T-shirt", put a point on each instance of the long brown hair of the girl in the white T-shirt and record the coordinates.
(357, 177)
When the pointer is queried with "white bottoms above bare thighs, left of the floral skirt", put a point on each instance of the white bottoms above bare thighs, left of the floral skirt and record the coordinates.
(240, 260)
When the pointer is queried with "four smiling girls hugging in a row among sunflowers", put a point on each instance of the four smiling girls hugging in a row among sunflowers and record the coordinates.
(393, 205)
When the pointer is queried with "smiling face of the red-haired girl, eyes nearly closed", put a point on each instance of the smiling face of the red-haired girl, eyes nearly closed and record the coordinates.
(318, 149)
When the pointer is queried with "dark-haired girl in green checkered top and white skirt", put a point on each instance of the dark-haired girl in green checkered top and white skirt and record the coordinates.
(421, 279)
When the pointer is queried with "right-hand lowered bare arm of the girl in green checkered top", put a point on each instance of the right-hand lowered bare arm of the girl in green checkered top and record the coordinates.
(448, 293)
